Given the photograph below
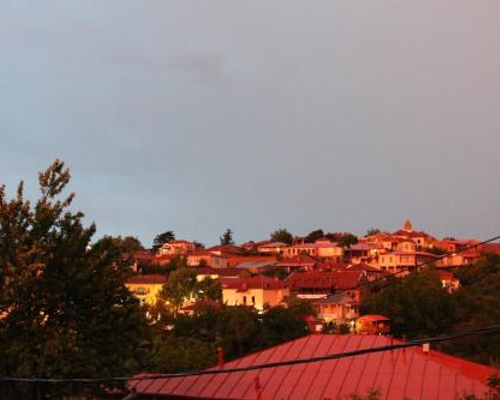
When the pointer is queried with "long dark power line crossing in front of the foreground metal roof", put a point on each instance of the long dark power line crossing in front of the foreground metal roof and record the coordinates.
(413, 343)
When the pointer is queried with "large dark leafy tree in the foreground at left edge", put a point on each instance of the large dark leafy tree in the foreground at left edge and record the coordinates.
(66, 311)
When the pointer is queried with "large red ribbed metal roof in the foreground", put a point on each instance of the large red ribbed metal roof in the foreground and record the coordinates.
(404, 373)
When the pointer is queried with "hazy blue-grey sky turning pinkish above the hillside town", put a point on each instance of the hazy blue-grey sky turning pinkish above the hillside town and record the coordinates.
(201, 115)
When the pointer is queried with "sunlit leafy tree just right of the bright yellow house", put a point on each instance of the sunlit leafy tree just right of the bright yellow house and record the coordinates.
(179, 287)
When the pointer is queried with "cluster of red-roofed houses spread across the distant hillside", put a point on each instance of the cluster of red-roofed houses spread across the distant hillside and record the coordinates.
(328, 275)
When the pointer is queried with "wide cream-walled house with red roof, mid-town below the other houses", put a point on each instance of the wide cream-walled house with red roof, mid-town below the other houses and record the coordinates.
(258, 292)
